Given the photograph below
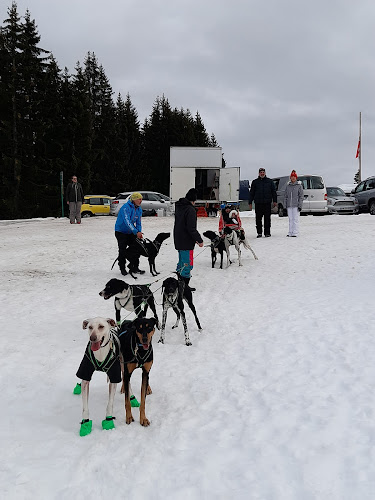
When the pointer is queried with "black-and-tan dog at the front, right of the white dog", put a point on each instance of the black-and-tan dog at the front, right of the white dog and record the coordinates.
(136, 349)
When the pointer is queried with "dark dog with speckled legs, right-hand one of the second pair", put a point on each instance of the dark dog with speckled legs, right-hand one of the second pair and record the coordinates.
(174, 291)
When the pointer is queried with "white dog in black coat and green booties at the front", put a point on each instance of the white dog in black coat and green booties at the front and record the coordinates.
(101, 354)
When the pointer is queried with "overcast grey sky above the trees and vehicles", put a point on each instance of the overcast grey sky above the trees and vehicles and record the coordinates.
(279, 82)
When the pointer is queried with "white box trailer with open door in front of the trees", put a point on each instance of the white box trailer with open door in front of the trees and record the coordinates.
(202, 169)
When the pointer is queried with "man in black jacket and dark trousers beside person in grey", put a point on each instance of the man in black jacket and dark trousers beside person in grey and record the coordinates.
(263, 193)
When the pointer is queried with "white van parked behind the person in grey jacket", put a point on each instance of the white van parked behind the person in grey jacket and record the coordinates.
(314, 194)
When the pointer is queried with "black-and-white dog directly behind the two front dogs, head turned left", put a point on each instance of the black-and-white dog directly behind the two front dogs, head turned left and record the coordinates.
(129, 297)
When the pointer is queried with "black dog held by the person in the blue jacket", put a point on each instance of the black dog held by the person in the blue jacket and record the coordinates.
(147, 248)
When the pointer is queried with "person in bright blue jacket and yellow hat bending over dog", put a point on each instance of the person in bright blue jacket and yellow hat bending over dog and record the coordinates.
(128, 227)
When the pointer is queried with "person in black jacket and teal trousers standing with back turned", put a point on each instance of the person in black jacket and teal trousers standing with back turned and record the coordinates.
(185, 233)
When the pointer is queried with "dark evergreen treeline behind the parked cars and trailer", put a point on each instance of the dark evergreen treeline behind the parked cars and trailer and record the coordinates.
(52, 121)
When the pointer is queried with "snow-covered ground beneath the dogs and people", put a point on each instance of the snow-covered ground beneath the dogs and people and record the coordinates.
(274, 400)
